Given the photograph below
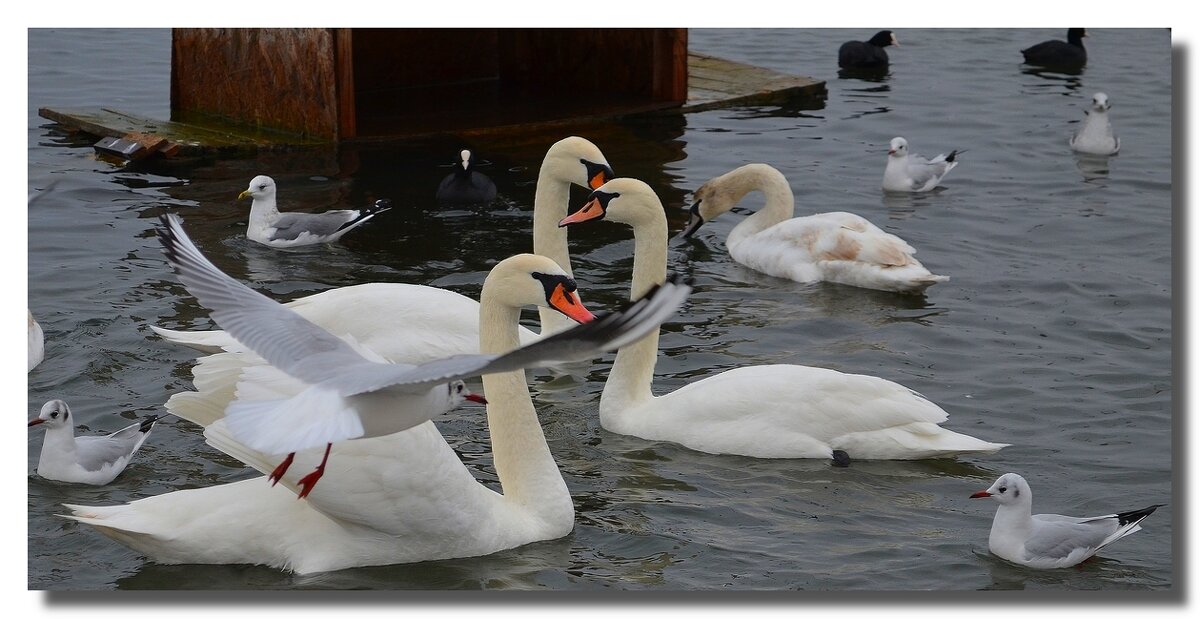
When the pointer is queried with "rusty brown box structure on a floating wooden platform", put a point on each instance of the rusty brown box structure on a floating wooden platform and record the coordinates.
(268, 88)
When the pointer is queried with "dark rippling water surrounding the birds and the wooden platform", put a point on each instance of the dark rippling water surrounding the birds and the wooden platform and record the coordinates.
(1054, 333)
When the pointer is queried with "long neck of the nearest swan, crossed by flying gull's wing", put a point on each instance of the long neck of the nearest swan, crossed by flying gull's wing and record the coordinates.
(524, 464)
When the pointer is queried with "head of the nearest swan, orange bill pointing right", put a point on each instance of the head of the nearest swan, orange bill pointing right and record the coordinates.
(530, 279)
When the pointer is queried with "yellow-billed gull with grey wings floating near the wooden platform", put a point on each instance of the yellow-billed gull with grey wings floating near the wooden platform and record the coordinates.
(271, 227)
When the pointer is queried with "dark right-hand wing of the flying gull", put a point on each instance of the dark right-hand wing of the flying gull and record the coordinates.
(583, 342)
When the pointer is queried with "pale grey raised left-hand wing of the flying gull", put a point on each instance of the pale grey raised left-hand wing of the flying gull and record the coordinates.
(275, 333)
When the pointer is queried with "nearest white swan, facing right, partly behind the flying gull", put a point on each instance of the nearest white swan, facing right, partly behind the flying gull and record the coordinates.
(400, 498)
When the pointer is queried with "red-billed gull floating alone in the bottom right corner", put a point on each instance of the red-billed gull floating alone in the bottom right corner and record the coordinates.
(1049, 540)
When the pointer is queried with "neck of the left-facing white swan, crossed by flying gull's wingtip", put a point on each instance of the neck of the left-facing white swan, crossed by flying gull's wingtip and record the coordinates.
(633, 371)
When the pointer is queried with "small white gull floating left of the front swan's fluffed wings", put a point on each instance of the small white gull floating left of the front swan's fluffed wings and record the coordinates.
(86, 460)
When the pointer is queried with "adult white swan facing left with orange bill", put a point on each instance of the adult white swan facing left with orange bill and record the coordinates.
(770, 412)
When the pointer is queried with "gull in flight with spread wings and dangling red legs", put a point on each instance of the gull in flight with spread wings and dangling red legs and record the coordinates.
(350, 395)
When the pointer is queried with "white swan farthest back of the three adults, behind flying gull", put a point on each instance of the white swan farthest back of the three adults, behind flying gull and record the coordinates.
(437, 323)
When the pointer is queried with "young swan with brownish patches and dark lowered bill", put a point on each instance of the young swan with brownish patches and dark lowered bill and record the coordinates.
(838, 248)
